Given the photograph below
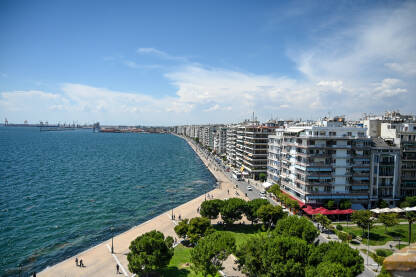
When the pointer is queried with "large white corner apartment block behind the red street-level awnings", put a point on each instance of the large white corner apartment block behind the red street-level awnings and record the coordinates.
(317, 163)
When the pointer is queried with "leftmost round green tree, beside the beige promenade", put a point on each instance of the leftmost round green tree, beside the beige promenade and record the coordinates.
(149, 252)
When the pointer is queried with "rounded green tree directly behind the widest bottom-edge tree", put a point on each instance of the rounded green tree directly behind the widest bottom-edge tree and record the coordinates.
(298, 227)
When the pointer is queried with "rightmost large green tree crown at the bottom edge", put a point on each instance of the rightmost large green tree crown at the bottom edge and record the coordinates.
(336, 252)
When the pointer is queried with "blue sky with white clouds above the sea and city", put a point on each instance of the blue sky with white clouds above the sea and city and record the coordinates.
(199, 62)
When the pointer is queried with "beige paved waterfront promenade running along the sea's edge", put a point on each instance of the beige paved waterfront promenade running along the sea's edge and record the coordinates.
(99, 261)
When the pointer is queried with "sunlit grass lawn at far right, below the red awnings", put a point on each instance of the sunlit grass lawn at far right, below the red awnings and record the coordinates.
(379, 235)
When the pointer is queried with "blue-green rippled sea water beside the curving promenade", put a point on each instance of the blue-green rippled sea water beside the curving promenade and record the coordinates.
(62, 191)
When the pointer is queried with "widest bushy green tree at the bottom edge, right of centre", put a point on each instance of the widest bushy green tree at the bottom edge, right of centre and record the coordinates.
(266, 255)
